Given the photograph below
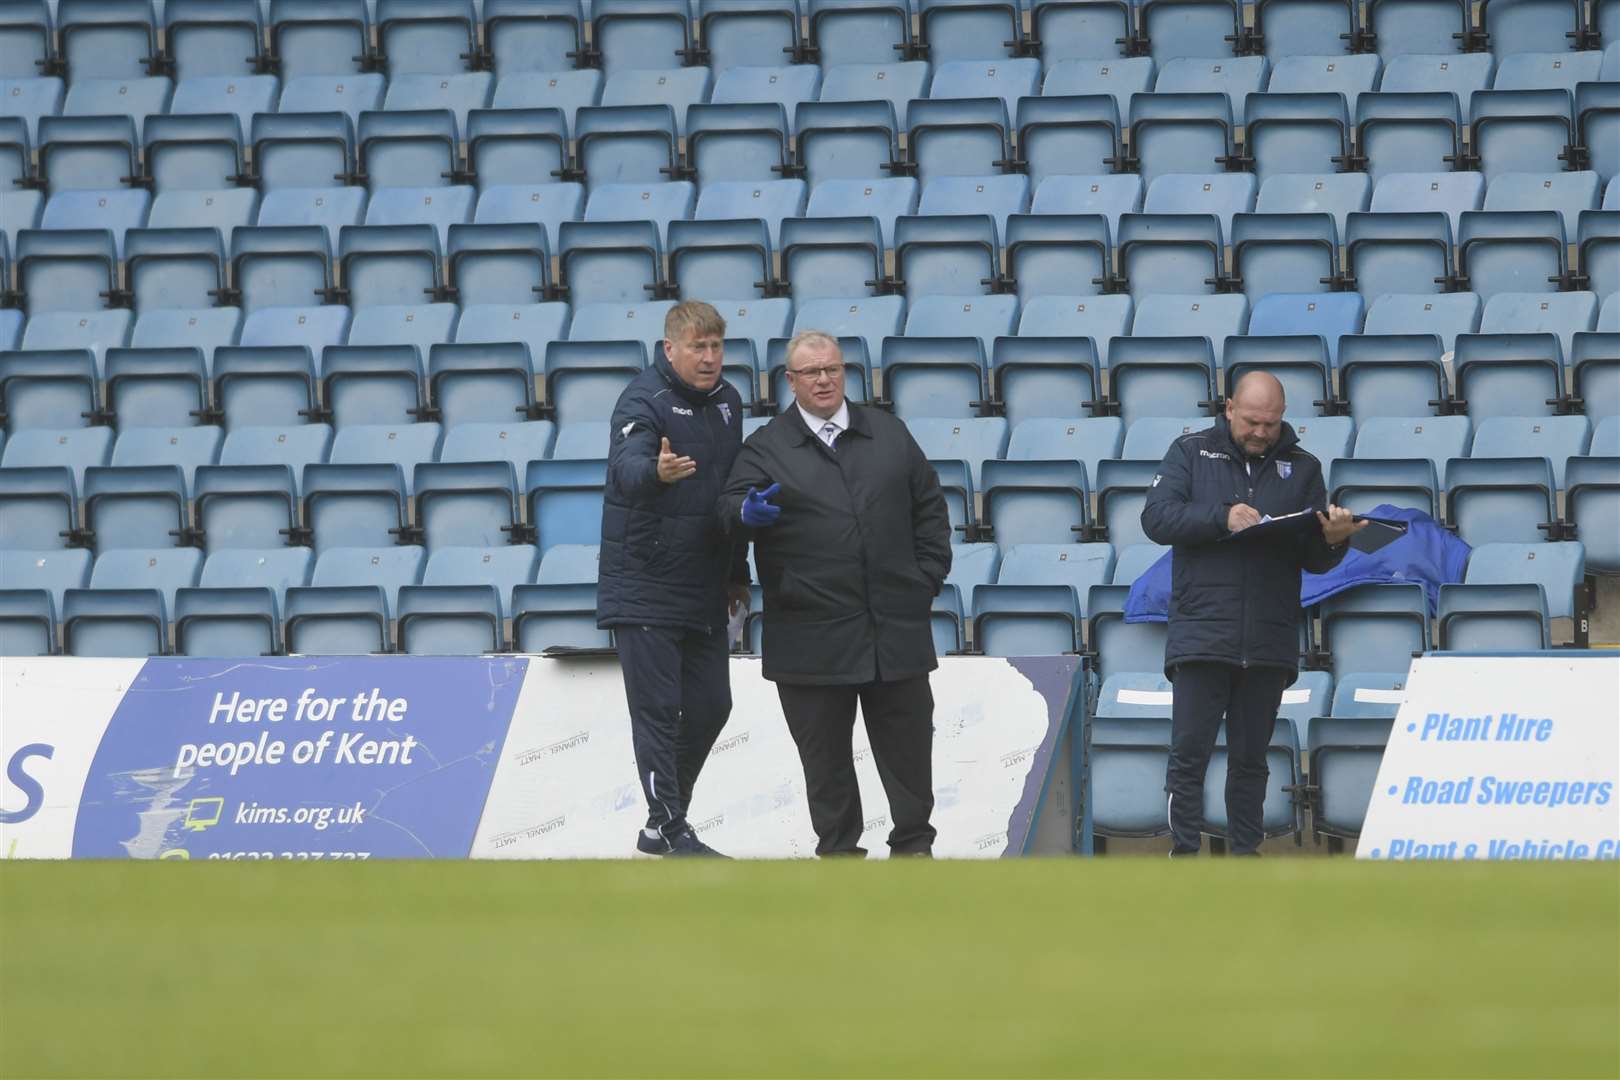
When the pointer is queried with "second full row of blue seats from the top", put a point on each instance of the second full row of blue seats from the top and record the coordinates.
(550, 138)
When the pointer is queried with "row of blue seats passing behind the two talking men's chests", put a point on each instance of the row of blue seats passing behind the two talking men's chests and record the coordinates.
(1049, 482)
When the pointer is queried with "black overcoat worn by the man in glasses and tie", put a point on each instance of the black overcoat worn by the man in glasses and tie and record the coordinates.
(863, 548)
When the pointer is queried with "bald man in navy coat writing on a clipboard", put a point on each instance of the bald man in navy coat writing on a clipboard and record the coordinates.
(1234, 644)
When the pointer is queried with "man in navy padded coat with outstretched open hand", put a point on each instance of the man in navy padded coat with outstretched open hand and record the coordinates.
(670, 576)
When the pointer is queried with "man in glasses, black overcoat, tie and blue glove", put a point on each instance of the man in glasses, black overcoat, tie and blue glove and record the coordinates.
(853, 543)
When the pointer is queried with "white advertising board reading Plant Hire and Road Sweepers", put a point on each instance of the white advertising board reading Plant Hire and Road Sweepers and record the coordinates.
(1501, 757)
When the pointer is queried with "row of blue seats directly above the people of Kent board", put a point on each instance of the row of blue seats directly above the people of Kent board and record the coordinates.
(1030, 600)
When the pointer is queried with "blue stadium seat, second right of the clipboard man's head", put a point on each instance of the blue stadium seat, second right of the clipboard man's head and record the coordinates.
(1507, 375)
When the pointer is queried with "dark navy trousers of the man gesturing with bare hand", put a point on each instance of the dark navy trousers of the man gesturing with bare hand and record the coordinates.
(678, 686)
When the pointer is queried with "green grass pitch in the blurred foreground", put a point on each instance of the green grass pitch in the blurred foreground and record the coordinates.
(1127, 967)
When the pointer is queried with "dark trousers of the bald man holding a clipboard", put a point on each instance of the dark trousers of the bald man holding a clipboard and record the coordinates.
(1247, 699)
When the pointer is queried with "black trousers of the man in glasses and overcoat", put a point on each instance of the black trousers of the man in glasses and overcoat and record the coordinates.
(900, 726)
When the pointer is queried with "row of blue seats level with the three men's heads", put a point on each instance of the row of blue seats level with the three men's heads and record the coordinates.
(1185, 372)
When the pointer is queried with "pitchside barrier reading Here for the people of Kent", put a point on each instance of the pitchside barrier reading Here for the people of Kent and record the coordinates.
(513, 757)
